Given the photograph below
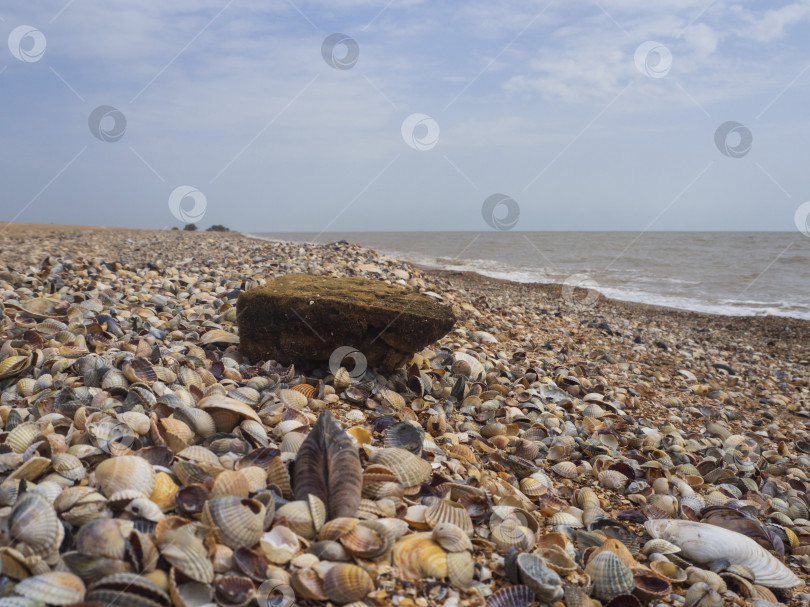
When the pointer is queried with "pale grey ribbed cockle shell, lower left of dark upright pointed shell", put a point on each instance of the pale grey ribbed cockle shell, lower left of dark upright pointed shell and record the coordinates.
(235, 521)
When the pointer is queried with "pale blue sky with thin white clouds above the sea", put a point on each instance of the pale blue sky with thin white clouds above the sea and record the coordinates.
(376, 115)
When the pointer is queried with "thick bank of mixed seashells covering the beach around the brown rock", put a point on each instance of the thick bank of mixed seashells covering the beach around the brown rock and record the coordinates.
(525, 457)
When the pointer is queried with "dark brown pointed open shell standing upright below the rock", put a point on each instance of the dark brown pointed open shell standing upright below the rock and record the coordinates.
(328, 466)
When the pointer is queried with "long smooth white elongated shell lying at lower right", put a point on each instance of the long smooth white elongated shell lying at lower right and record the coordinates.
(704, 544)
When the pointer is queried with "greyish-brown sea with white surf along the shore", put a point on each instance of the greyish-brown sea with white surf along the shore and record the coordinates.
(734, 273)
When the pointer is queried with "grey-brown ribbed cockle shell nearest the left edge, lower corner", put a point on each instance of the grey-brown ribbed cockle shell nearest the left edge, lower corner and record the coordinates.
(34, 522)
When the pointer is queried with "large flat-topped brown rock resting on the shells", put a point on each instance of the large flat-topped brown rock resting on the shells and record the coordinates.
(302, 319)
